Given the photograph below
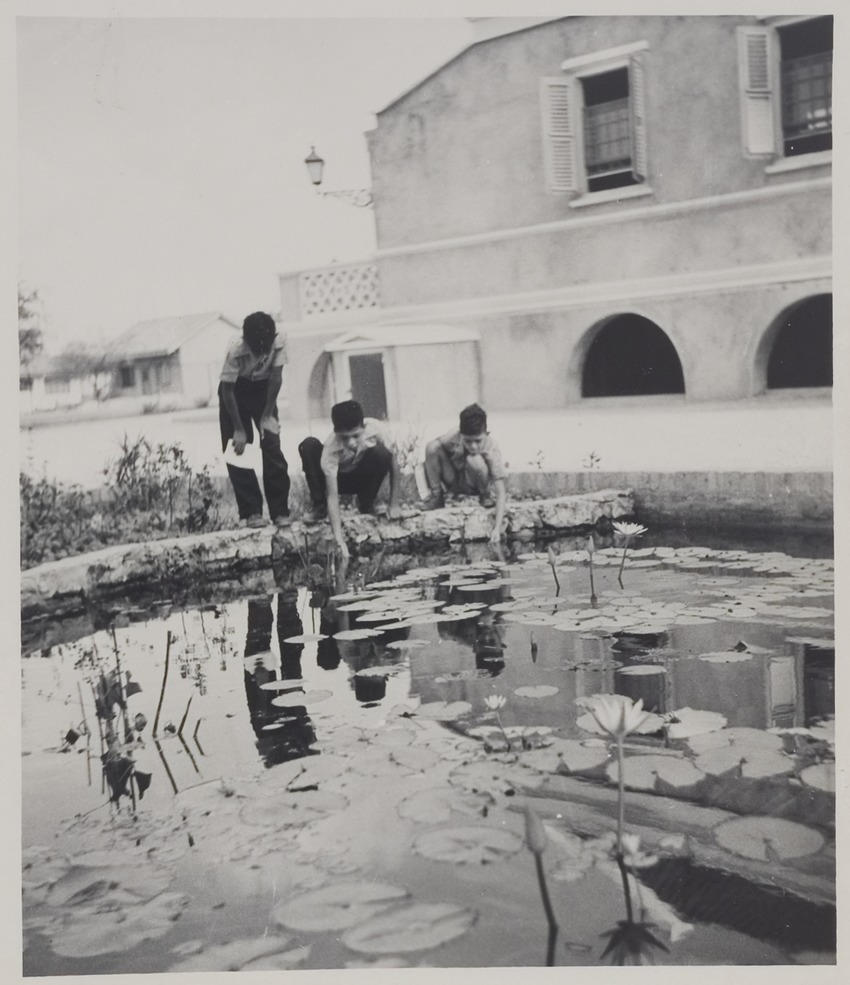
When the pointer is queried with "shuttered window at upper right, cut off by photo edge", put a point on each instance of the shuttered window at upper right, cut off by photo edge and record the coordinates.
(786, 88)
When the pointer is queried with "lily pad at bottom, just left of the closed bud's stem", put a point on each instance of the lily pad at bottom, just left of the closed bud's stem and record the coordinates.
(413, 928)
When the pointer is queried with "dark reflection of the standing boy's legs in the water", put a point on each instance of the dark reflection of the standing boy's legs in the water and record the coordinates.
(281, 733)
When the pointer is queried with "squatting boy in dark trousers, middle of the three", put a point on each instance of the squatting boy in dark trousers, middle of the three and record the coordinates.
(354, 459)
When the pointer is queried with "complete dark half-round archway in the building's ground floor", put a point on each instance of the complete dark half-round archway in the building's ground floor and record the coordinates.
(631, 356)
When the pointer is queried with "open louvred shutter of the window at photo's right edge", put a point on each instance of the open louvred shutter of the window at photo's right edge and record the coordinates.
(756, 76)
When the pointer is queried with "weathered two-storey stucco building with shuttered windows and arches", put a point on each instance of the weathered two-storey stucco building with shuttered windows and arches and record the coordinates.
(610, 206)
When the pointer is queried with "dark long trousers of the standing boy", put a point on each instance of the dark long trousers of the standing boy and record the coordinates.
(251, 401)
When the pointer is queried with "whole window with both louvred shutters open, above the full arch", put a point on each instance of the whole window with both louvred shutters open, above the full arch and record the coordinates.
(594, 133)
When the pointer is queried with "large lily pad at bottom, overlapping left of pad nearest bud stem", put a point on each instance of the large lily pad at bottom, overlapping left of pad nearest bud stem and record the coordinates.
(339, 905)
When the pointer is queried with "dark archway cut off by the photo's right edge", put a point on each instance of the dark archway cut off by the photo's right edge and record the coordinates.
(801, 353)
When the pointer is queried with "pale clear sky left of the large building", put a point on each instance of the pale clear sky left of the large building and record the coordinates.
(161, 160)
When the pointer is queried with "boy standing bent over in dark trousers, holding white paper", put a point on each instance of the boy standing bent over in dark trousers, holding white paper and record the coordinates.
(249, 385)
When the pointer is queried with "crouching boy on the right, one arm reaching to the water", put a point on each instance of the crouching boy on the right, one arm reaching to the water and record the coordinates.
(466, 461)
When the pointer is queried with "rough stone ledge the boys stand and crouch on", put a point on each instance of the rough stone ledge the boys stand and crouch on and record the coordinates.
(114, 571)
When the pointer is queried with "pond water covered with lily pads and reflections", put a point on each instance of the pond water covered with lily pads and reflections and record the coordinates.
(295, 780)
